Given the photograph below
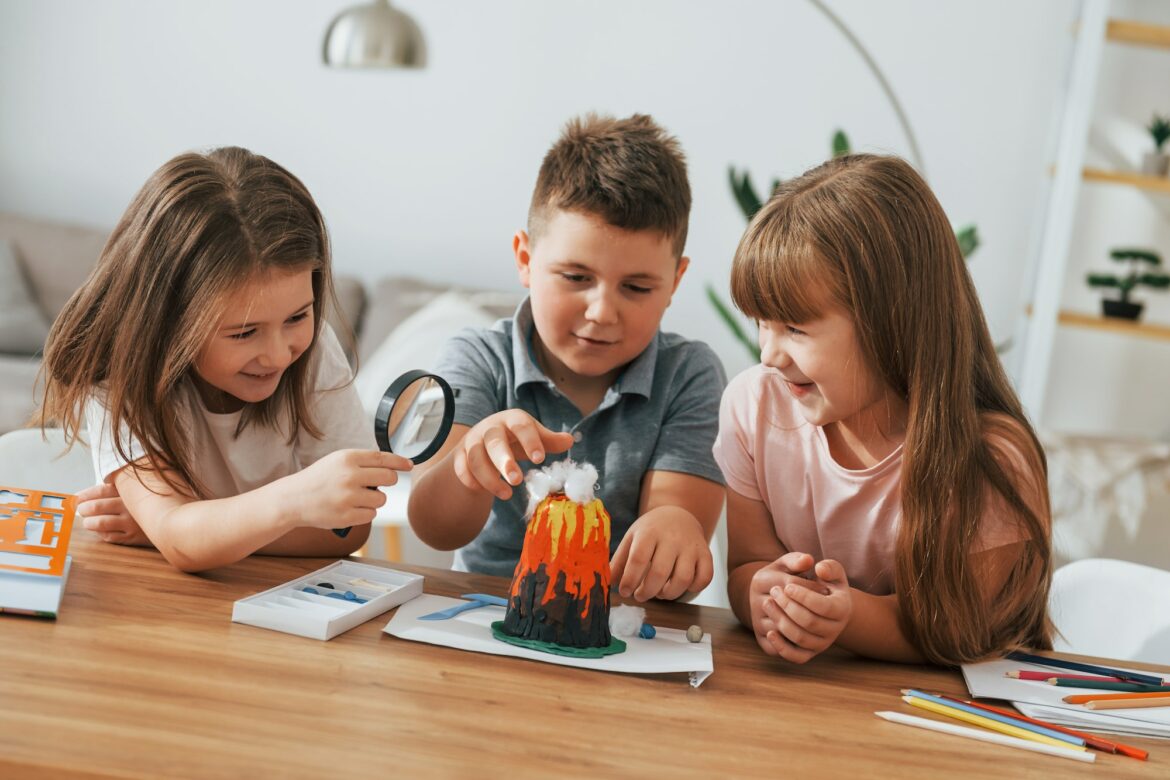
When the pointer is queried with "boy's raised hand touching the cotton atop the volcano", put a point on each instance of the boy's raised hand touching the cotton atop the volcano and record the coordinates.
(487, 458)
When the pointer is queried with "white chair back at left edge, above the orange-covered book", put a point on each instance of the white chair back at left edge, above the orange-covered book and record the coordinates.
(32, 460)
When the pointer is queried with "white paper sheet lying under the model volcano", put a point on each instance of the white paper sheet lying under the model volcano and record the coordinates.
(669, 652)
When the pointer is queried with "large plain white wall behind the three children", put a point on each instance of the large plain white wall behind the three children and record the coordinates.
(431, 172)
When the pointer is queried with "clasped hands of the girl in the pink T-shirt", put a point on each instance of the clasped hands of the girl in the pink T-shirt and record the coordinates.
(808, 619)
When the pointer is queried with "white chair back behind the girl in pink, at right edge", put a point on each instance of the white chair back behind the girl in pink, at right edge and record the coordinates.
(1112, 609)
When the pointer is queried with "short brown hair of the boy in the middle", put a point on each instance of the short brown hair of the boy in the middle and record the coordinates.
(630, 172)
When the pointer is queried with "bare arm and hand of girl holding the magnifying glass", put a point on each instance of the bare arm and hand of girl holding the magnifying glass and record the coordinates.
(292, 516)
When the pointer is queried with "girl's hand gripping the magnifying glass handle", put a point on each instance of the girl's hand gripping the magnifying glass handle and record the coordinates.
(341, 489)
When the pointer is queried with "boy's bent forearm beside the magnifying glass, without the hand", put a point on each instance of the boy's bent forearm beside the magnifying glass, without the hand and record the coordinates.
(444, 513)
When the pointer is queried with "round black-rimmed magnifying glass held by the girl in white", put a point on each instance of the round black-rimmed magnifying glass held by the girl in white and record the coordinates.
(414, 418)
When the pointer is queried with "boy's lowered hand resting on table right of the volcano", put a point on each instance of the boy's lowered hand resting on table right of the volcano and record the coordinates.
(664, 556)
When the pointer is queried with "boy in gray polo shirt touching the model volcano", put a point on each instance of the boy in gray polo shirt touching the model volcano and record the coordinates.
(583, 371)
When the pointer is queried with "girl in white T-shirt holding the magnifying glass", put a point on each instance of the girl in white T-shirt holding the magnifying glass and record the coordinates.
(216, 399)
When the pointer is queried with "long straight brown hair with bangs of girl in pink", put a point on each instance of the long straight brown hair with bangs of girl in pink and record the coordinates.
(866, 234)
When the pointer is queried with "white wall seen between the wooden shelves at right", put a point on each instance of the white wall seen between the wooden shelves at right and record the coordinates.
(1106, 384)
